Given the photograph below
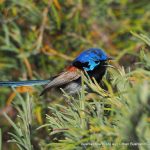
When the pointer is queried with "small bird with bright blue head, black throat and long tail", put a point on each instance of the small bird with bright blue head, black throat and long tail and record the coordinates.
(93, 61)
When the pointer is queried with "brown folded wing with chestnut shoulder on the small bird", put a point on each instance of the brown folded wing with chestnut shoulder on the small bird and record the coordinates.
(62, 79)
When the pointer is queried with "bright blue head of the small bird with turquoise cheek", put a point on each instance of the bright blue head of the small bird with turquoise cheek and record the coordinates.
(90, 58)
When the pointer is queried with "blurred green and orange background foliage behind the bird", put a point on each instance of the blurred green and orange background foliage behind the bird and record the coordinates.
(38, 38)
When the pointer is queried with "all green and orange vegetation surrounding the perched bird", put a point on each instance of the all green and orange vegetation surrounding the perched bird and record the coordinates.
(39, 38)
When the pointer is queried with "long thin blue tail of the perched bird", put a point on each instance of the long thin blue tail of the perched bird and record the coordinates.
(23, 83)
